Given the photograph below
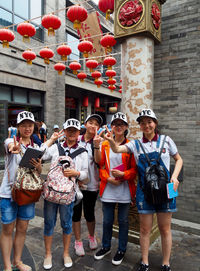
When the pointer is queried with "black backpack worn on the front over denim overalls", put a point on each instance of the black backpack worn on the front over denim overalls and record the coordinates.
(155, 179)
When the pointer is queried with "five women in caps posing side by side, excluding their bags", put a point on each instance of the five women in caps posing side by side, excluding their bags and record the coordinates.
(108, 168)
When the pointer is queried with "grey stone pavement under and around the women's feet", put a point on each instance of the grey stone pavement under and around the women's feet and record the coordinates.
(185, 252)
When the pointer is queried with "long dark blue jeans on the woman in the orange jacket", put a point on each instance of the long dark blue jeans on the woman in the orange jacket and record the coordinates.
(108, 219)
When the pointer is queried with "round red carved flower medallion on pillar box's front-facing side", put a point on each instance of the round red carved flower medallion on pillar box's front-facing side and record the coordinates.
(130, 13)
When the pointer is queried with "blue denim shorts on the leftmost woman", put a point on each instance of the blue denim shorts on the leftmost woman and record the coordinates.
(10, 211)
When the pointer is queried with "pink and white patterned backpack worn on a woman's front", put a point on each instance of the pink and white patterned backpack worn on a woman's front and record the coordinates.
(58, 188)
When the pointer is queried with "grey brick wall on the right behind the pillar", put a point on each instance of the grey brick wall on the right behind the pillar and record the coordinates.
(177, 95)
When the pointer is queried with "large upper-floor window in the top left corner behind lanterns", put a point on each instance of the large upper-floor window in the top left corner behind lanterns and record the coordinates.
(16, 11)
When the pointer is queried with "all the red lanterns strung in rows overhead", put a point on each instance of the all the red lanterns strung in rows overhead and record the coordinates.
(76, 14)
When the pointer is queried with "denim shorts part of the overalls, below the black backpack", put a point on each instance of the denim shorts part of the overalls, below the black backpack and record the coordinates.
(145, 208)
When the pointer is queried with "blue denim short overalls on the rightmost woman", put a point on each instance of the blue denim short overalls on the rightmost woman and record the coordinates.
(142, 205)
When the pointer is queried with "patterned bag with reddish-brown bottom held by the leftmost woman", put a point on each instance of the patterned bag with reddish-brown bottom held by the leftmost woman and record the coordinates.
(27, 187)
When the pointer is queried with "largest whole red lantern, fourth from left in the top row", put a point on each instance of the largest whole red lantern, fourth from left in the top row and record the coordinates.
(77, 15)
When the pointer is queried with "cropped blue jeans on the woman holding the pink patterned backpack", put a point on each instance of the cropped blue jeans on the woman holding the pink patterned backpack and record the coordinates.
(50, 217)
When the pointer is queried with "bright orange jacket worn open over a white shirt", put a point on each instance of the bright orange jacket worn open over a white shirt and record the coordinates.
(129, 165)
